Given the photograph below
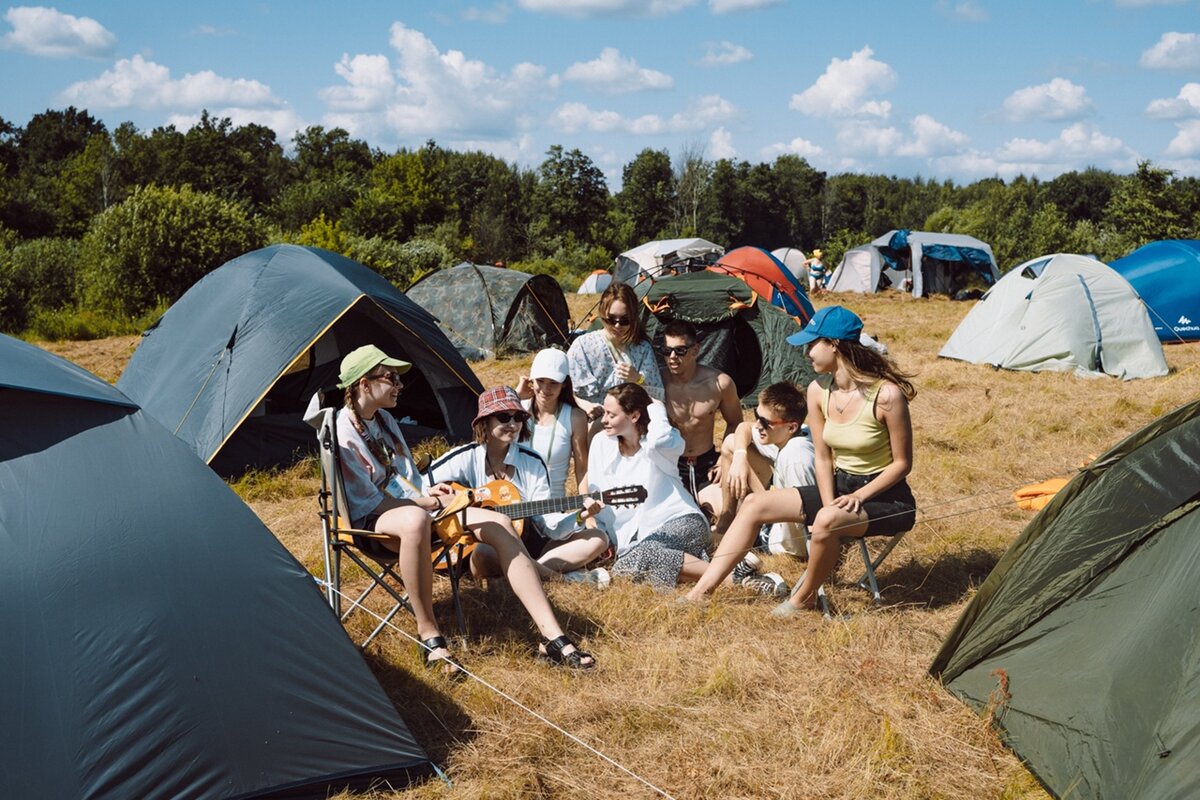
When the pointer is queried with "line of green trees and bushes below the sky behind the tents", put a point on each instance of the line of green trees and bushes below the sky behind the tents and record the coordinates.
(103, 228)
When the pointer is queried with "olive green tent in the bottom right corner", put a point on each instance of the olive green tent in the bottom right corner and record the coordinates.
(1082, 643)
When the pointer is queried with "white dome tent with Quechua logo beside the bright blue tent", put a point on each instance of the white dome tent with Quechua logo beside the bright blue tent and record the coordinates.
(1063, 312)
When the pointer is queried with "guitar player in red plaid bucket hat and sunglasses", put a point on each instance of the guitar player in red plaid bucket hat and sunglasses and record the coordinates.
(559, 542)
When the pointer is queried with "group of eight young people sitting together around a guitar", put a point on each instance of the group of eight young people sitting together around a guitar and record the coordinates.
(605, 408)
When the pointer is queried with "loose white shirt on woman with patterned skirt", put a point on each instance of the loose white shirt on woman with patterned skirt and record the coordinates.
(655, 467)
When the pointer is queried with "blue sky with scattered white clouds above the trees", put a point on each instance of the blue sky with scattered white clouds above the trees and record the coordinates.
(944, 89)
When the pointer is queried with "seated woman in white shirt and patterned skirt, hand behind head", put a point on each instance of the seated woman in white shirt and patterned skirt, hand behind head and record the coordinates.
(663, 540)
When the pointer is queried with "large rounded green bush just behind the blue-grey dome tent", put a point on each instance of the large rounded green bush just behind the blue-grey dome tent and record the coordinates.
(160, 242)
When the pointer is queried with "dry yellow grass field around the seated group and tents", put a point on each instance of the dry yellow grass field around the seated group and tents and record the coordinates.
(724, 701)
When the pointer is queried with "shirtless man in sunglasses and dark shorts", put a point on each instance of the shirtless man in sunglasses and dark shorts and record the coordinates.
(694, 396)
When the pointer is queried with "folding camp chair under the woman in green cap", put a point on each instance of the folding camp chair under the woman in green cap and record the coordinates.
(452, 544)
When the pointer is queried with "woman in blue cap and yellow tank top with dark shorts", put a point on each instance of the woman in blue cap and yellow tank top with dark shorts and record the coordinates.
(862, 435)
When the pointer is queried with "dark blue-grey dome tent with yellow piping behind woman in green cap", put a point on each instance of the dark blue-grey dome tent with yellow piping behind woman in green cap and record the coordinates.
(231, 368)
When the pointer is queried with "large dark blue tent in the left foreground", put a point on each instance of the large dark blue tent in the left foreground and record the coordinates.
(159, 642)
